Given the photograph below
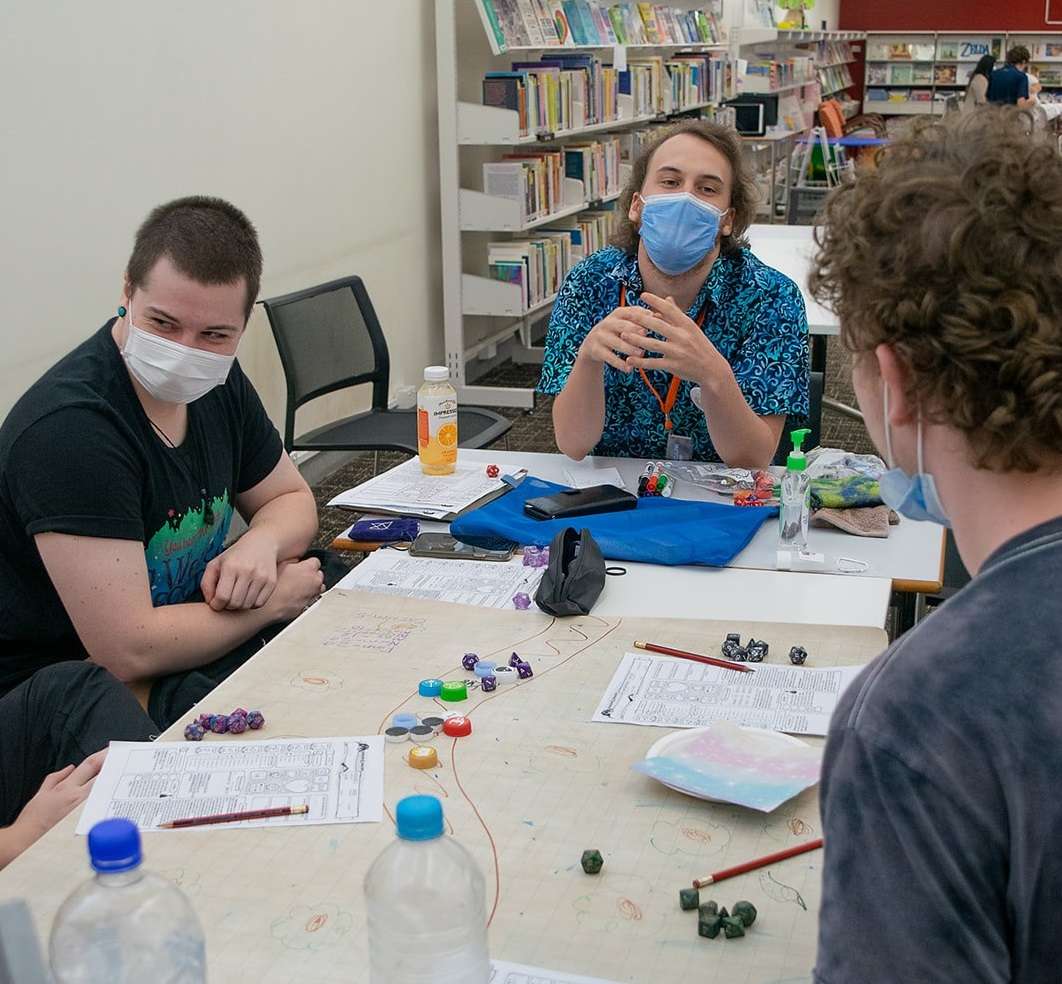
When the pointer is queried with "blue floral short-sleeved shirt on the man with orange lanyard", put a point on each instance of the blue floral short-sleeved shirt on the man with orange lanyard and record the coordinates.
(756, 318)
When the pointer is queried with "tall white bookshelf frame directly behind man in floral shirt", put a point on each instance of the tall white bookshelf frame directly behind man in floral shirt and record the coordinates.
(481, 315)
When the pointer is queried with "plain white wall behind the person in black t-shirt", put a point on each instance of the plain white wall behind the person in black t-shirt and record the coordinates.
(316, 117)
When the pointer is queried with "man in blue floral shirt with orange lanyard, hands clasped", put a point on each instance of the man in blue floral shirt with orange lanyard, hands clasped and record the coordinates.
(676, 334)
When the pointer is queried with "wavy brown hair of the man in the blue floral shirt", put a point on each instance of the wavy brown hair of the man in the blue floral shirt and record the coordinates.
(743, 194)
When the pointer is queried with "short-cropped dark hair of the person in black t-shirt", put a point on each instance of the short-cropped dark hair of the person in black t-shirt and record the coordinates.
(207, 239)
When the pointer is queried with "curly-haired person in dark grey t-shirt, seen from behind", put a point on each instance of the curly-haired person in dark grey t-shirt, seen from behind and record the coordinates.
(940, 786)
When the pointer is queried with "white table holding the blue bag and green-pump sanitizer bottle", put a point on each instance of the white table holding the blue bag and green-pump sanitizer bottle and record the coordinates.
(912, 559)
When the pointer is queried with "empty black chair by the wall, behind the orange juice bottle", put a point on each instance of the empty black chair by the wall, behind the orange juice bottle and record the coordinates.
(330, 339)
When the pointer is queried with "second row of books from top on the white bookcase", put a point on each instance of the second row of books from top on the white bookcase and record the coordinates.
(568, 92)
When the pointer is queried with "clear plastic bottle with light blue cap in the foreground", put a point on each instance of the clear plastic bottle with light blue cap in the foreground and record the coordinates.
(426, 902)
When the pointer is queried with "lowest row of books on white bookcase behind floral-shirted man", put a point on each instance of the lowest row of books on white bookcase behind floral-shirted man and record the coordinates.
(539, 265)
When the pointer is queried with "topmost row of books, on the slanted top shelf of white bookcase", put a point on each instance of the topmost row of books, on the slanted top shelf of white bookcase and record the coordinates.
(551, 24)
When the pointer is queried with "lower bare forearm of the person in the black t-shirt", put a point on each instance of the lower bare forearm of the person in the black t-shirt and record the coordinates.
(181, 637)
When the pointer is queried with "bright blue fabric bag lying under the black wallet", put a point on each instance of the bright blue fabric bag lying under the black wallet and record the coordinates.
(660, 531)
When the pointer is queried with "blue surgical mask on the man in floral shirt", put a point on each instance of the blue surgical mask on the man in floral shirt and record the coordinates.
(679, 231)
